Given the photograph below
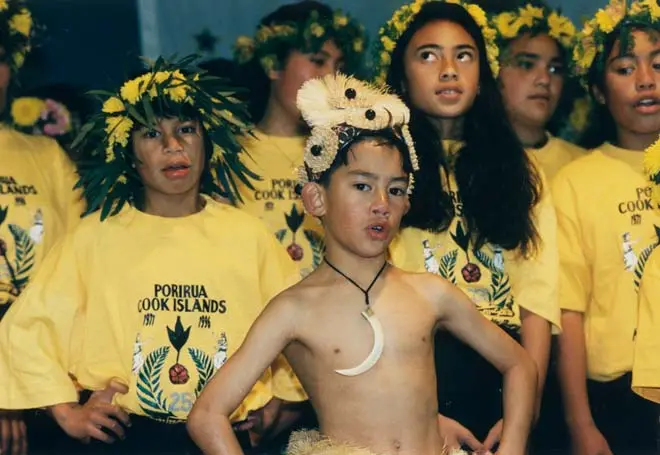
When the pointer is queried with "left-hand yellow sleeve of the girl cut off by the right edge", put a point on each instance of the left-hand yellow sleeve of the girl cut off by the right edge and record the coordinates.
(574, 267)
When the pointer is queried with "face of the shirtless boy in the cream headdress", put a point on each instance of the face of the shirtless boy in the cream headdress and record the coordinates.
(366, 199)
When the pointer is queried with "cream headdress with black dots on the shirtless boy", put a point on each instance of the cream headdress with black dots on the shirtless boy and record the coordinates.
(340, 109)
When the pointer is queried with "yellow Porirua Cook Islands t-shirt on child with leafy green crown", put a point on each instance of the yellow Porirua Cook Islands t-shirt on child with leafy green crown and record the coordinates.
(159, 303)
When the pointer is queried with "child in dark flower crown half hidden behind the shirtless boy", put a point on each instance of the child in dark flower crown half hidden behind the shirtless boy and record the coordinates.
(297, 42)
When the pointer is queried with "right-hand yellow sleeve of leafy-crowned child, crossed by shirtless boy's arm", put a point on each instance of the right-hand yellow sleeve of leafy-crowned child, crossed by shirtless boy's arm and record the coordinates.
(277, 273)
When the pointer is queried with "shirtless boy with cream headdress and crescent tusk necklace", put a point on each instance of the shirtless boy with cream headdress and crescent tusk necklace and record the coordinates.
(357, 331)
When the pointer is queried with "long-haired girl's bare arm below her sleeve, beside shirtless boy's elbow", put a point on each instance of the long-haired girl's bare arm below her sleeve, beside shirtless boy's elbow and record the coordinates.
(536, 337)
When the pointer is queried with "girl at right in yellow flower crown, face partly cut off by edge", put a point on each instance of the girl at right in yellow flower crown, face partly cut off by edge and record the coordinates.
(606, 231)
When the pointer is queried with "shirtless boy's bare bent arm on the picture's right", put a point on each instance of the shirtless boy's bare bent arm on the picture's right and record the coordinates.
(458, 315)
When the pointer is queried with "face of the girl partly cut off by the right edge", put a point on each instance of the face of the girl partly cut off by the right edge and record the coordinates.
(632, 91)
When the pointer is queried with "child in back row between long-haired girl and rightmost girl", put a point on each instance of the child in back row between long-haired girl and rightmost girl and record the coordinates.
(535, 43)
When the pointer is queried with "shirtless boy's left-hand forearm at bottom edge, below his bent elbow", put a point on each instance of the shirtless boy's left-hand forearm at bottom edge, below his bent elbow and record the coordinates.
(213, 434)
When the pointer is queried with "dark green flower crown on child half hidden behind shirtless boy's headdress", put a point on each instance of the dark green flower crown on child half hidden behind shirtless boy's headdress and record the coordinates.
(308, 36)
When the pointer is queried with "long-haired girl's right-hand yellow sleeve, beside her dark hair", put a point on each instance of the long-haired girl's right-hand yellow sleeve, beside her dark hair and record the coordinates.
(535, 280)
